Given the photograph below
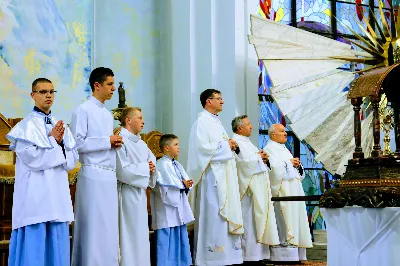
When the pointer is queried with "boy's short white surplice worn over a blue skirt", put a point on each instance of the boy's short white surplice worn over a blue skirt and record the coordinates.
(169, 203)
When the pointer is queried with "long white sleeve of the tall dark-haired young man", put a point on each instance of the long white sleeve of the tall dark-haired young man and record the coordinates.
(79, 129)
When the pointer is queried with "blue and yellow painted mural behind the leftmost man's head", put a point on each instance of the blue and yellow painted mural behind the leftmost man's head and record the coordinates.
(46, 38)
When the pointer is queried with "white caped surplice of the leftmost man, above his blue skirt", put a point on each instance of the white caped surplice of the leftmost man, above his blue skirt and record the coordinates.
(41, 189)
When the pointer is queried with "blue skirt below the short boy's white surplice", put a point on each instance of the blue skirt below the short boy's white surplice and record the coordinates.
(172, 246)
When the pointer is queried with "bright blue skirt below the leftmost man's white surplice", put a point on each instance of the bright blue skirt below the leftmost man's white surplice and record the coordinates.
(43, 244)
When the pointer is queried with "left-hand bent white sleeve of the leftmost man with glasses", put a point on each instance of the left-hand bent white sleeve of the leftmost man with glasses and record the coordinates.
(39, 159)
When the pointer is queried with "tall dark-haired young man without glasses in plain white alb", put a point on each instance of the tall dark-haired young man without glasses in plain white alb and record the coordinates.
(95, 239)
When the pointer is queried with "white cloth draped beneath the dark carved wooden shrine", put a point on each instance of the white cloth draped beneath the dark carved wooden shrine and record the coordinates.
(363, 236)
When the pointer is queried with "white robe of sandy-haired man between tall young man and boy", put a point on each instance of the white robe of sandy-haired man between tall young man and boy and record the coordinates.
(134, 177)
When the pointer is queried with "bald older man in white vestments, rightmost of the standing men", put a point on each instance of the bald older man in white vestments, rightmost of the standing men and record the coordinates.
(291, 216)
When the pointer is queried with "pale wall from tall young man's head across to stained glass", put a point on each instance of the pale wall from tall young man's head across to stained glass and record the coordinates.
(167, 52)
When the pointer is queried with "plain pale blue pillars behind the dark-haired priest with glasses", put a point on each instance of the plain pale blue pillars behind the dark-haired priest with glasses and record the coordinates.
(203, 44)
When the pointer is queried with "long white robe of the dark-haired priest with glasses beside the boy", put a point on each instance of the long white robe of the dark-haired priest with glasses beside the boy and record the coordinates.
(216, 203)
